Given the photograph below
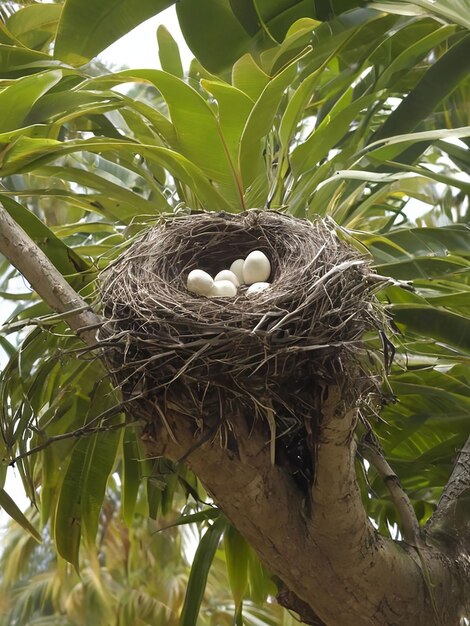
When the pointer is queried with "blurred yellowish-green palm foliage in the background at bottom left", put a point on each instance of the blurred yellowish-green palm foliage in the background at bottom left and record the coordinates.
(136, 574)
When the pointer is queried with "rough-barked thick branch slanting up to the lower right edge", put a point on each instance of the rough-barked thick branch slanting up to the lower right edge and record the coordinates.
(450, 523)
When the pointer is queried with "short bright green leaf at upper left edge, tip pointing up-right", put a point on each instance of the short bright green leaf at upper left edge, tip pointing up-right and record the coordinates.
(17, 100)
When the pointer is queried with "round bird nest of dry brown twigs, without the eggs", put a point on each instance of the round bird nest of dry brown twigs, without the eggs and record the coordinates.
(268, 358)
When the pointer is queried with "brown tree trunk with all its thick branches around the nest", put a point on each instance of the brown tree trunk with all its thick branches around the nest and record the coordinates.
(336, 569)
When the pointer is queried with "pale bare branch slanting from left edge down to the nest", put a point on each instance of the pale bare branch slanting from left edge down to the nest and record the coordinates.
(45, 279)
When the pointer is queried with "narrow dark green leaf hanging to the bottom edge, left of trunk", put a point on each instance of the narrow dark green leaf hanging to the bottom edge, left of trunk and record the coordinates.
(199, 571)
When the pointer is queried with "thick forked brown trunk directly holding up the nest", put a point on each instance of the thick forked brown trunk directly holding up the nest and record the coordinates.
(324, 550)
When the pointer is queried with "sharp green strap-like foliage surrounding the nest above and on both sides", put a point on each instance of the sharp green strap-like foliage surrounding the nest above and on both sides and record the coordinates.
(361, 118)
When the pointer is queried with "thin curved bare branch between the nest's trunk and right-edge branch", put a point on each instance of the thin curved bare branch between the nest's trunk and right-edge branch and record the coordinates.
(410, 525)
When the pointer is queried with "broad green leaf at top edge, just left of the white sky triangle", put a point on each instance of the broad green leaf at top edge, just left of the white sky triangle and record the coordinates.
(87, 27)
